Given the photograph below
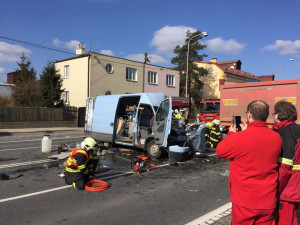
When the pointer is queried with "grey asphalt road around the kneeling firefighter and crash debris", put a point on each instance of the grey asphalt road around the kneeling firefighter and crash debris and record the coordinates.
(171, 194)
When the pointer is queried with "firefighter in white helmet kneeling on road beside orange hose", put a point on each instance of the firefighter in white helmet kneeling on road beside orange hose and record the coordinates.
(81, 163)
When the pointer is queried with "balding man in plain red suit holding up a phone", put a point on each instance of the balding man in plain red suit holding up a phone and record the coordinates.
(253, 155)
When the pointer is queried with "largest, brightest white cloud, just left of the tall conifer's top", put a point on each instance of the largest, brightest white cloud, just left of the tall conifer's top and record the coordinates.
(167, 38)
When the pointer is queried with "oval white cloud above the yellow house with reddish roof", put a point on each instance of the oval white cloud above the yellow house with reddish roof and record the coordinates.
(230, 46)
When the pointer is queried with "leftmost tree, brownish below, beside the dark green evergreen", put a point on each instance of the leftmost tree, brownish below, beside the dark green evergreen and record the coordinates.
(26, 86)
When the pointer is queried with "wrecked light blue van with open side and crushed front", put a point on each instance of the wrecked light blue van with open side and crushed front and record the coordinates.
(142, 120)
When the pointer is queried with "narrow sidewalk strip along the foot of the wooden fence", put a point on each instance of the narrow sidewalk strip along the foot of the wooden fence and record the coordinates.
(42, 129)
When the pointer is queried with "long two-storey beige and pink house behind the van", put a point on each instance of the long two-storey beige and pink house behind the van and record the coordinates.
(93, 74)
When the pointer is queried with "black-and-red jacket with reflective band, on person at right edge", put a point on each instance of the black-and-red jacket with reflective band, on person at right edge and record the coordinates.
(289, 161)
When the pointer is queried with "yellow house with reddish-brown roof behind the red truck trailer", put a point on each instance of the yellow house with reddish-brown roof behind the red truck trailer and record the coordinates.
(228, 72)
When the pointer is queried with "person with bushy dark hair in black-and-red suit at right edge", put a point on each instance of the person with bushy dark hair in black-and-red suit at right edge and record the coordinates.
(285, 115)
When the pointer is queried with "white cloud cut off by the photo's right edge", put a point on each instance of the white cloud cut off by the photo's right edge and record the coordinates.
(284, 47)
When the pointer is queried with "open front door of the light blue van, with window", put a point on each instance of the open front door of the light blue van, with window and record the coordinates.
(162, 123)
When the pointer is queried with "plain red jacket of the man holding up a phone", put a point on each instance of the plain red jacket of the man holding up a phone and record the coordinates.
(253, 155)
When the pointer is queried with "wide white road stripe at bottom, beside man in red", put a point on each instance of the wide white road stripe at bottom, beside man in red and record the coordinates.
(213, 216)
